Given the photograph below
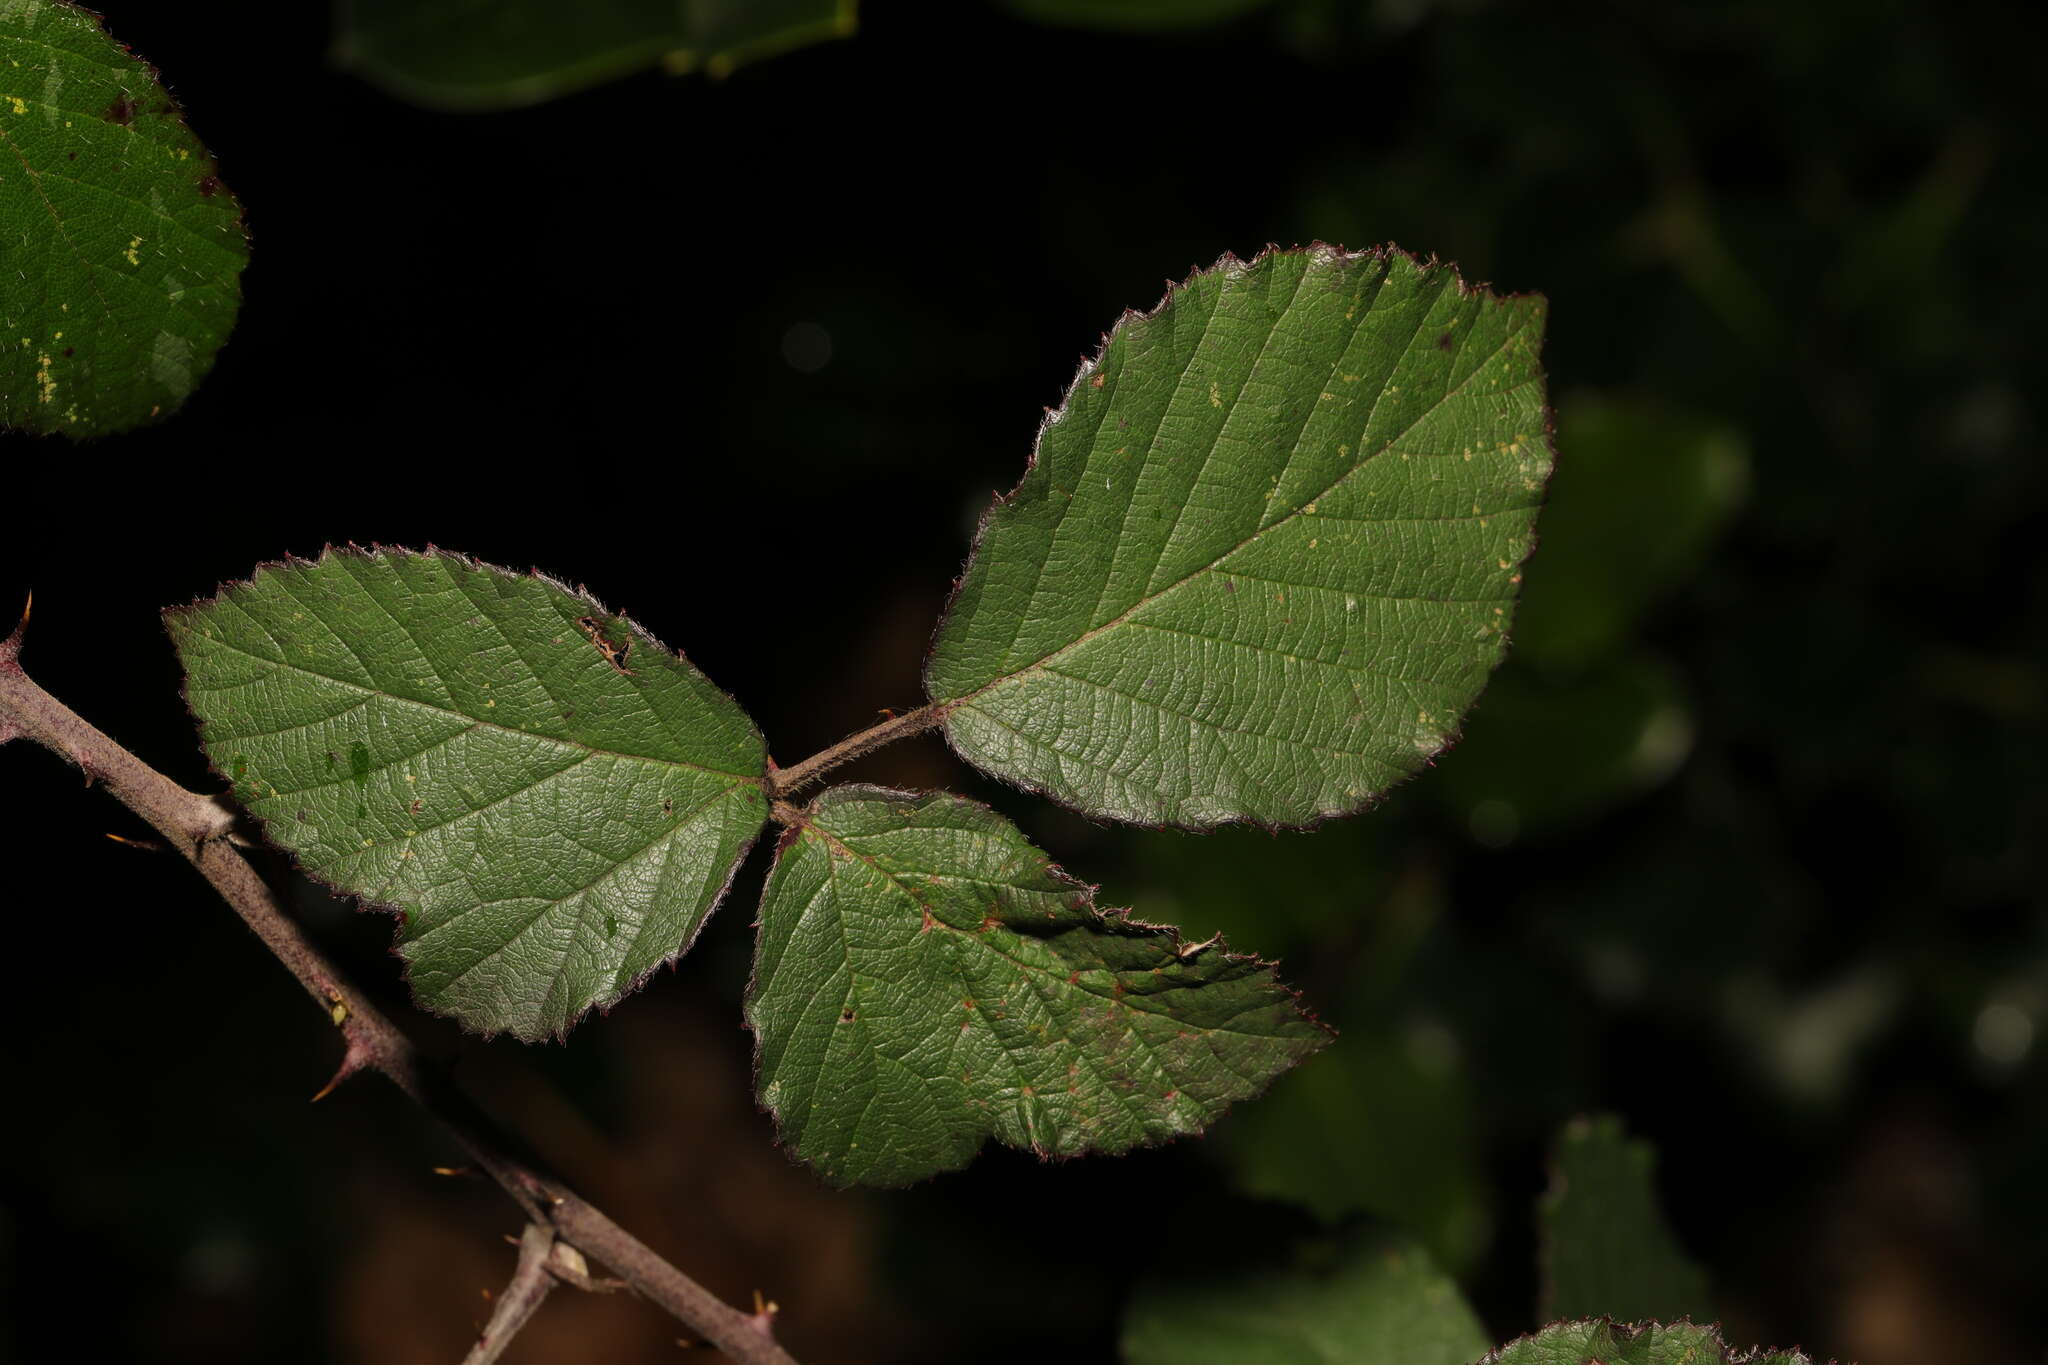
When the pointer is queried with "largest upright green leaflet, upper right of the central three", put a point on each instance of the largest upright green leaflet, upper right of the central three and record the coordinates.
(1267, 552)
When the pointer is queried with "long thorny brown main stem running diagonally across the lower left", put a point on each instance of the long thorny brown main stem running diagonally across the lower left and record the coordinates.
(196, 828)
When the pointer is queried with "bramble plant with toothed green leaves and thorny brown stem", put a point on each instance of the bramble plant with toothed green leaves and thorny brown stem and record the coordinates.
(1258, 568)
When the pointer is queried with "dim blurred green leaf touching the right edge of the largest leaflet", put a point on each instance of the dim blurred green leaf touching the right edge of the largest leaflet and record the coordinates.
(1629, 517)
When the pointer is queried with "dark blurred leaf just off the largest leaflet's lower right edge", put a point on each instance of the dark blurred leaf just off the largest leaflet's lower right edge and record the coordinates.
(1543, 754)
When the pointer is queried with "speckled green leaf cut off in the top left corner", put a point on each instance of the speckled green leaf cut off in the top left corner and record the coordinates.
(124, 249)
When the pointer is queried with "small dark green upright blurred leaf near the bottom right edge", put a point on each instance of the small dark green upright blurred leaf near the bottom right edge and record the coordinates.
(1607, 1247)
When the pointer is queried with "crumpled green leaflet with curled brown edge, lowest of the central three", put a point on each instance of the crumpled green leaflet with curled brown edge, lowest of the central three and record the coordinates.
(927, 979)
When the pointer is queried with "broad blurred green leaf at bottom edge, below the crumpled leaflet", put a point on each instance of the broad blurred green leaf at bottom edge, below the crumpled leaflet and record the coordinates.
(1361, 1301)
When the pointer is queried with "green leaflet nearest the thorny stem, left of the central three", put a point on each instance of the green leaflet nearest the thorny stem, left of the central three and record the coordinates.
(552, 799)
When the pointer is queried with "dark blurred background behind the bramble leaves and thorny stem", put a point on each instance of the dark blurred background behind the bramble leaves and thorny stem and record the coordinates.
(1758, 873)
